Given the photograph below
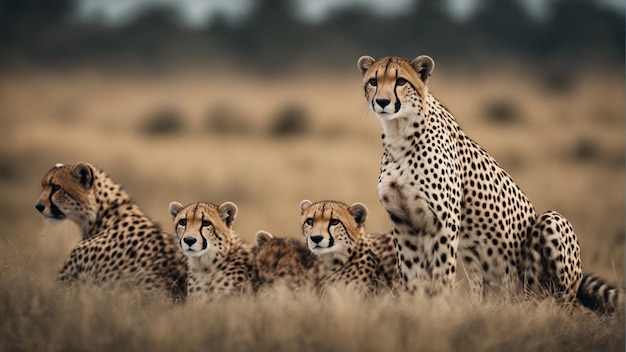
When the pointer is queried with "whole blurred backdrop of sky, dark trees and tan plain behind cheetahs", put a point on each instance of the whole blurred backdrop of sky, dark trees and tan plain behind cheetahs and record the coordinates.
(260, 103)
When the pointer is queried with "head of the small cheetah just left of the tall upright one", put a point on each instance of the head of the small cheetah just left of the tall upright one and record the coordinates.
(332, 227)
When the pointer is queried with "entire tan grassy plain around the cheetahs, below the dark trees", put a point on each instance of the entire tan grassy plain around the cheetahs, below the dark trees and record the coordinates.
(266, 143)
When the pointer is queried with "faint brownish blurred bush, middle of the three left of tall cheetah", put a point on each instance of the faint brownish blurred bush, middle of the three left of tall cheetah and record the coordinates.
(226, 120)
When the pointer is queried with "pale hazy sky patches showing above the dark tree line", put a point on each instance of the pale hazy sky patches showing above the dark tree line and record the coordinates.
(200, 12)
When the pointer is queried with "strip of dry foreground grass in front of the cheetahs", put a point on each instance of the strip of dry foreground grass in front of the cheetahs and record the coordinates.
(39, 316)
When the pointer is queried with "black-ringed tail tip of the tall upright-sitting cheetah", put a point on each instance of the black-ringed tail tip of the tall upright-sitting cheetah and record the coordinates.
(595, 294)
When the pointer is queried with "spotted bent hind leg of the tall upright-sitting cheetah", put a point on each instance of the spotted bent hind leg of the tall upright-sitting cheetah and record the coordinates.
(551, 258)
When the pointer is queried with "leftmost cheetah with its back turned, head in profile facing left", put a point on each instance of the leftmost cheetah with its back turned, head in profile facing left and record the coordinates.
(120, 245)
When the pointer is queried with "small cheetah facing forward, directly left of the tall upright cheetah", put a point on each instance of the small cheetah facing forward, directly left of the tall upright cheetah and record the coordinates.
(348, 255)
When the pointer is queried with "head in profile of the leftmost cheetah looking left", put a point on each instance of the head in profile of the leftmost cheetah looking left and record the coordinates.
(69, 193)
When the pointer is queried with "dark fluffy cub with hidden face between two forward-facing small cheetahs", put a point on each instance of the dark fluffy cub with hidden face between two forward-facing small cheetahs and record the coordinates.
(283, 261)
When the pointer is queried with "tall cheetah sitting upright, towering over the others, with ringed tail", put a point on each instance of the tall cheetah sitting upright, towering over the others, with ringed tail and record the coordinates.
(448, 199)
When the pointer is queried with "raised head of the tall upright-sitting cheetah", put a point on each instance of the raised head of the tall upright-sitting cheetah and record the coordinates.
(395, 86)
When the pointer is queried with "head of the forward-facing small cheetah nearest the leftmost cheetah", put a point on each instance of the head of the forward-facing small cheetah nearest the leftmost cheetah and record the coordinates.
(203, 228)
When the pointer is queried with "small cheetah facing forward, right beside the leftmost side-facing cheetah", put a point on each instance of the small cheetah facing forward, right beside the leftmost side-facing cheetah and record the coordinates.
(220, 263)
